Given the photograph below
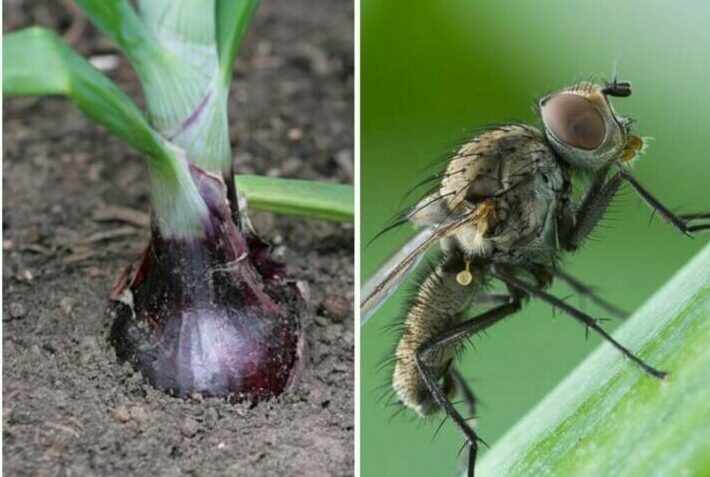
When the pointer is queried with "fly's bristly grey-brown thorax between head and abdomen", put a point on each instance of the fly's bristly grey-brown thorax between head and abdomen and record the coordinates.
(511, 182)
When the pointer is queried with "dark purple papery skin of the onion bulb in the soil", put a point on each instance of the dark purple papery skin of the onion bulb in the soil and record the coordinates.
(211, 315)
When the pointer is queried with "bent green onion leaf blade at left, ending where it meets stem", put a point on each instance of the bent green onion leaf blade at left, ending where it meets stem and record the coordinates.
(37, 62)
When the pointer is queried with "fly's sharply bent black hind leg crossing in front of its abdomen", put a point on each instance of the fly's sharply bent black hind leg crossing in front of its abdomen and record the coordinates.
(452, 338)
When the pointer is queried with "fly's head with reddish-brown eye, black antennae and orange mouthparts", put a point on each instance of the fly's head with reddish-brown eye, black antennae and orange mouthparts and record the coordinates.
(582, 126)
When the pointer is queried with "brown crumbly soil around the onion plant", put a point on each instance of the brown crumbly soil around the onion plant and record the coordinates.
(69, 408)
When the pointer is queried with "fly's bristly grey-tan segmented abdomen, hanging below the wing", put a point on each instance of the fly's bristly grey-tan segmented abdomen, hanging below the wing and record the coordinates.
(439, 305)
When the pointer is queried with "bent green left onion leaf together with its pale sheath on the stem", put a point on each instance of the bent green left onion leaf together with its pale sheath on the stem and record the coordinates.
(37, 62)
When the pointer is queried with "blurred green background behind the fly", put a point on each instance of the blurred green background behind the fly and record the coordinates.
(431, 70)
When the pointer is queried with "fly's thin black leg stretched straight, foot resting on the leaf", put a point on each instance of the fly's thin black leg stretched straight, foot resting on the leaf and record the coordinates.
(580, 316)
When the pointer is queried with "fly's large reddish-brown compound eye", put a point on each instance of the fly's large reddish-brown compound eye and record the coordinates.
(574, 121)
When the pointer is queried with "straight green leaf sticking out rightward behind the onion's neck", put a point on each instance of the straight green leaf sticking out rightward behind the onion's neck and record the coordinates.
(318, 200)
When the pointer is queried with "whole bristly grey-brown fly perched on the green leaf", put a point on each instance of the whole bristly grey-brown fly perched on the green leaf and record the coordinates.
(504, 210)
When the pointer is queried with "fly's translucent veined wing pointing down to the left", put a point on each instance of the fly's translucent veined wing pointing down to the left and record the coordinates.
(387, 279)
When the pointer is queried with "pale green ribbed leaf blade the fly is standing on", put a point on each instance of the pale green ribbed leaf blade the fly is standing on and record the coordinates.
(608, 417)
